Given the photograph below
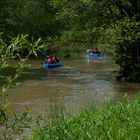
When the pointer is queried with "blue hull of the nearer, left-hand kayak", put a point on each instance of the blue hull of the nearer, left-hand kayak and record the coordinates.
(47, 65)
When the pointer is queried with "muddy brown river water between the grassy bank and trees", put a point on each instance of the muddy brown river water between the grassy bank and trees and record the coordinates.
(78, 85)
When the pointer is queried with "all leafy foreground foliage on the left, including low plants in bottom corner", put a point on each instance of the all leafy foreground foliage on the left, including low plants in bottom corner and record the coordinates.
(10, 51)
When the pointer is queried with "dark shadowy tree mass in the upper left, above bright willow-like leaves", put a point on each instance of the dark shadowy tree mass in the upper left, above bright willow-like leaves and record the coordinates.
(34, 17)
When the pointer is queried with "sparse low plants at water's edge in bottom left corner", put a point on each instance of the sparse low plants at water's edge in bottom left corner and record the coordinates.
(15, 125)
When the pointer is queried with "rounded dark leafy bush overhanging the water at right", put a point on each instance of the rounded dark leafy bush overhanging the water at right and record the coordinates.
(125, 34)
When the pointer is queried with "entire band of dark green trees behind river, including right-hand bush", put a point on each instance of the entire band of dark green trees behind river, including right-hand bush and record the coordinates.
(111, 25)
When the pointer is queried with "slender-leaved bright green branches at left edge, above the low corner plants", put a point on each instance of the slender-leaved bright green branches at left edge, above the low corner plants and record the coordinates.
(21, 49)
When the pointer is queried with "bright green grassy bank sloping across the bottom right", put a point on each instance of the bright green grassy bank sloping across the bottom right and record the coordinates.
(114, 121)
